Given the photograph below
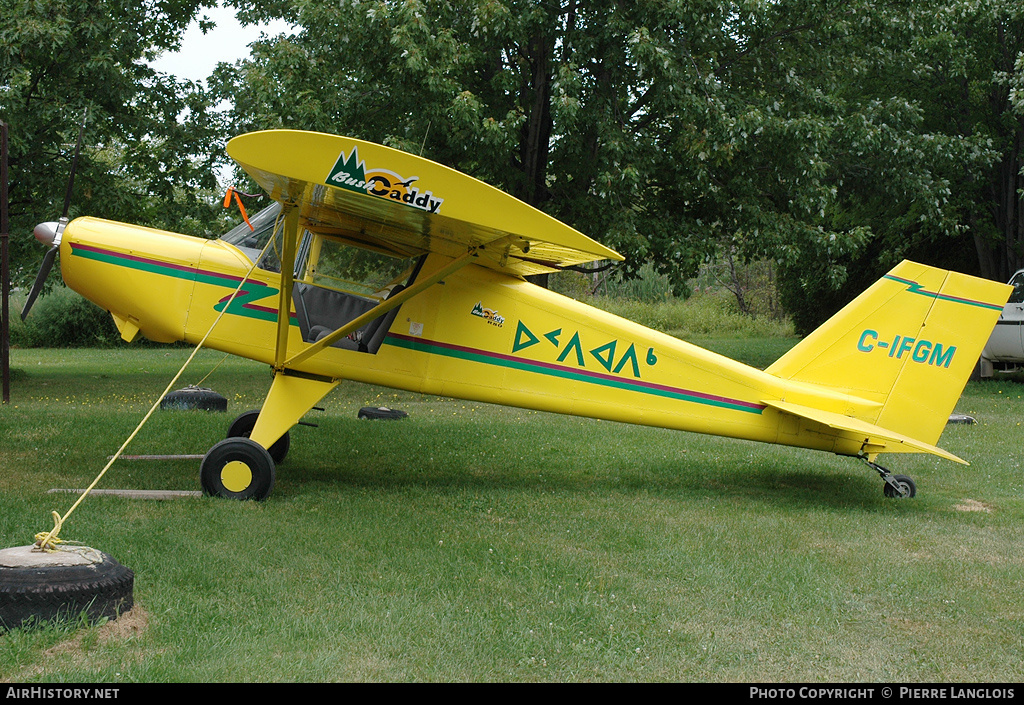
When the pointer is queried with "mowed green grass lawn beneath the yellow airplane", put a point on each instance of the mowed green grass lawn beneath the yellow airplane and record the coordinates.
(472, 543)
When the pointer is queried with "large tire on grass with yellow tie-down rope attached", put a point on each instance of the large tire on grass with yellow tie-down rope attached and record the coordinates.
(38, 588)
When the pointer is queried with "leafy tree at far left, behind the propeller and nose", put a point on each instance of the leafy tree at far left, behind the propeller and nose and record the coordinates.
(152, 142)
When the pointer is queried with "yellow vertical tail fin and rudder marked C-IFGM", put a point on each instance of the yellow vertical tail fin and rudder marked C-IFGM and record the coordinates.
(910, 343)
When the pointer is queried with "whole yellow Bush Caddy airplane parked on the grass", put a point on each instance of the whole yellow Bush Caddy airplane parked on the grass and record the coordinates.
(400, 272)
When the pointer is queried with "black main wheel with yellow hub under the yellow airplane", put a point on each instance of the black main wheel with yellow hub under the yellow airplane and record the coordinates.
(238, 469)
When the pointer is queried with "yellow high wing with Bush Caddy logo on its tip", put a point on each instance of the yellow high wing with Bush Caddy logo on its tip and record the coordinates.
(388, 200)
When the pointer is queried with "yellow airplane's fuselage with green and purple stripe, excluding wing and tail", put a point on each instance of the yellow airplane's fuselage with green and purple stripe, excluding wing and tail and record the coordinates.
(477, 336)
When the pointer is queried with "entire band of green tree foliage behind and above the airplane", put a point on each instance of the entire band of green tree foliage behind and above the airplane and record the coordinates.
(832, 139)
